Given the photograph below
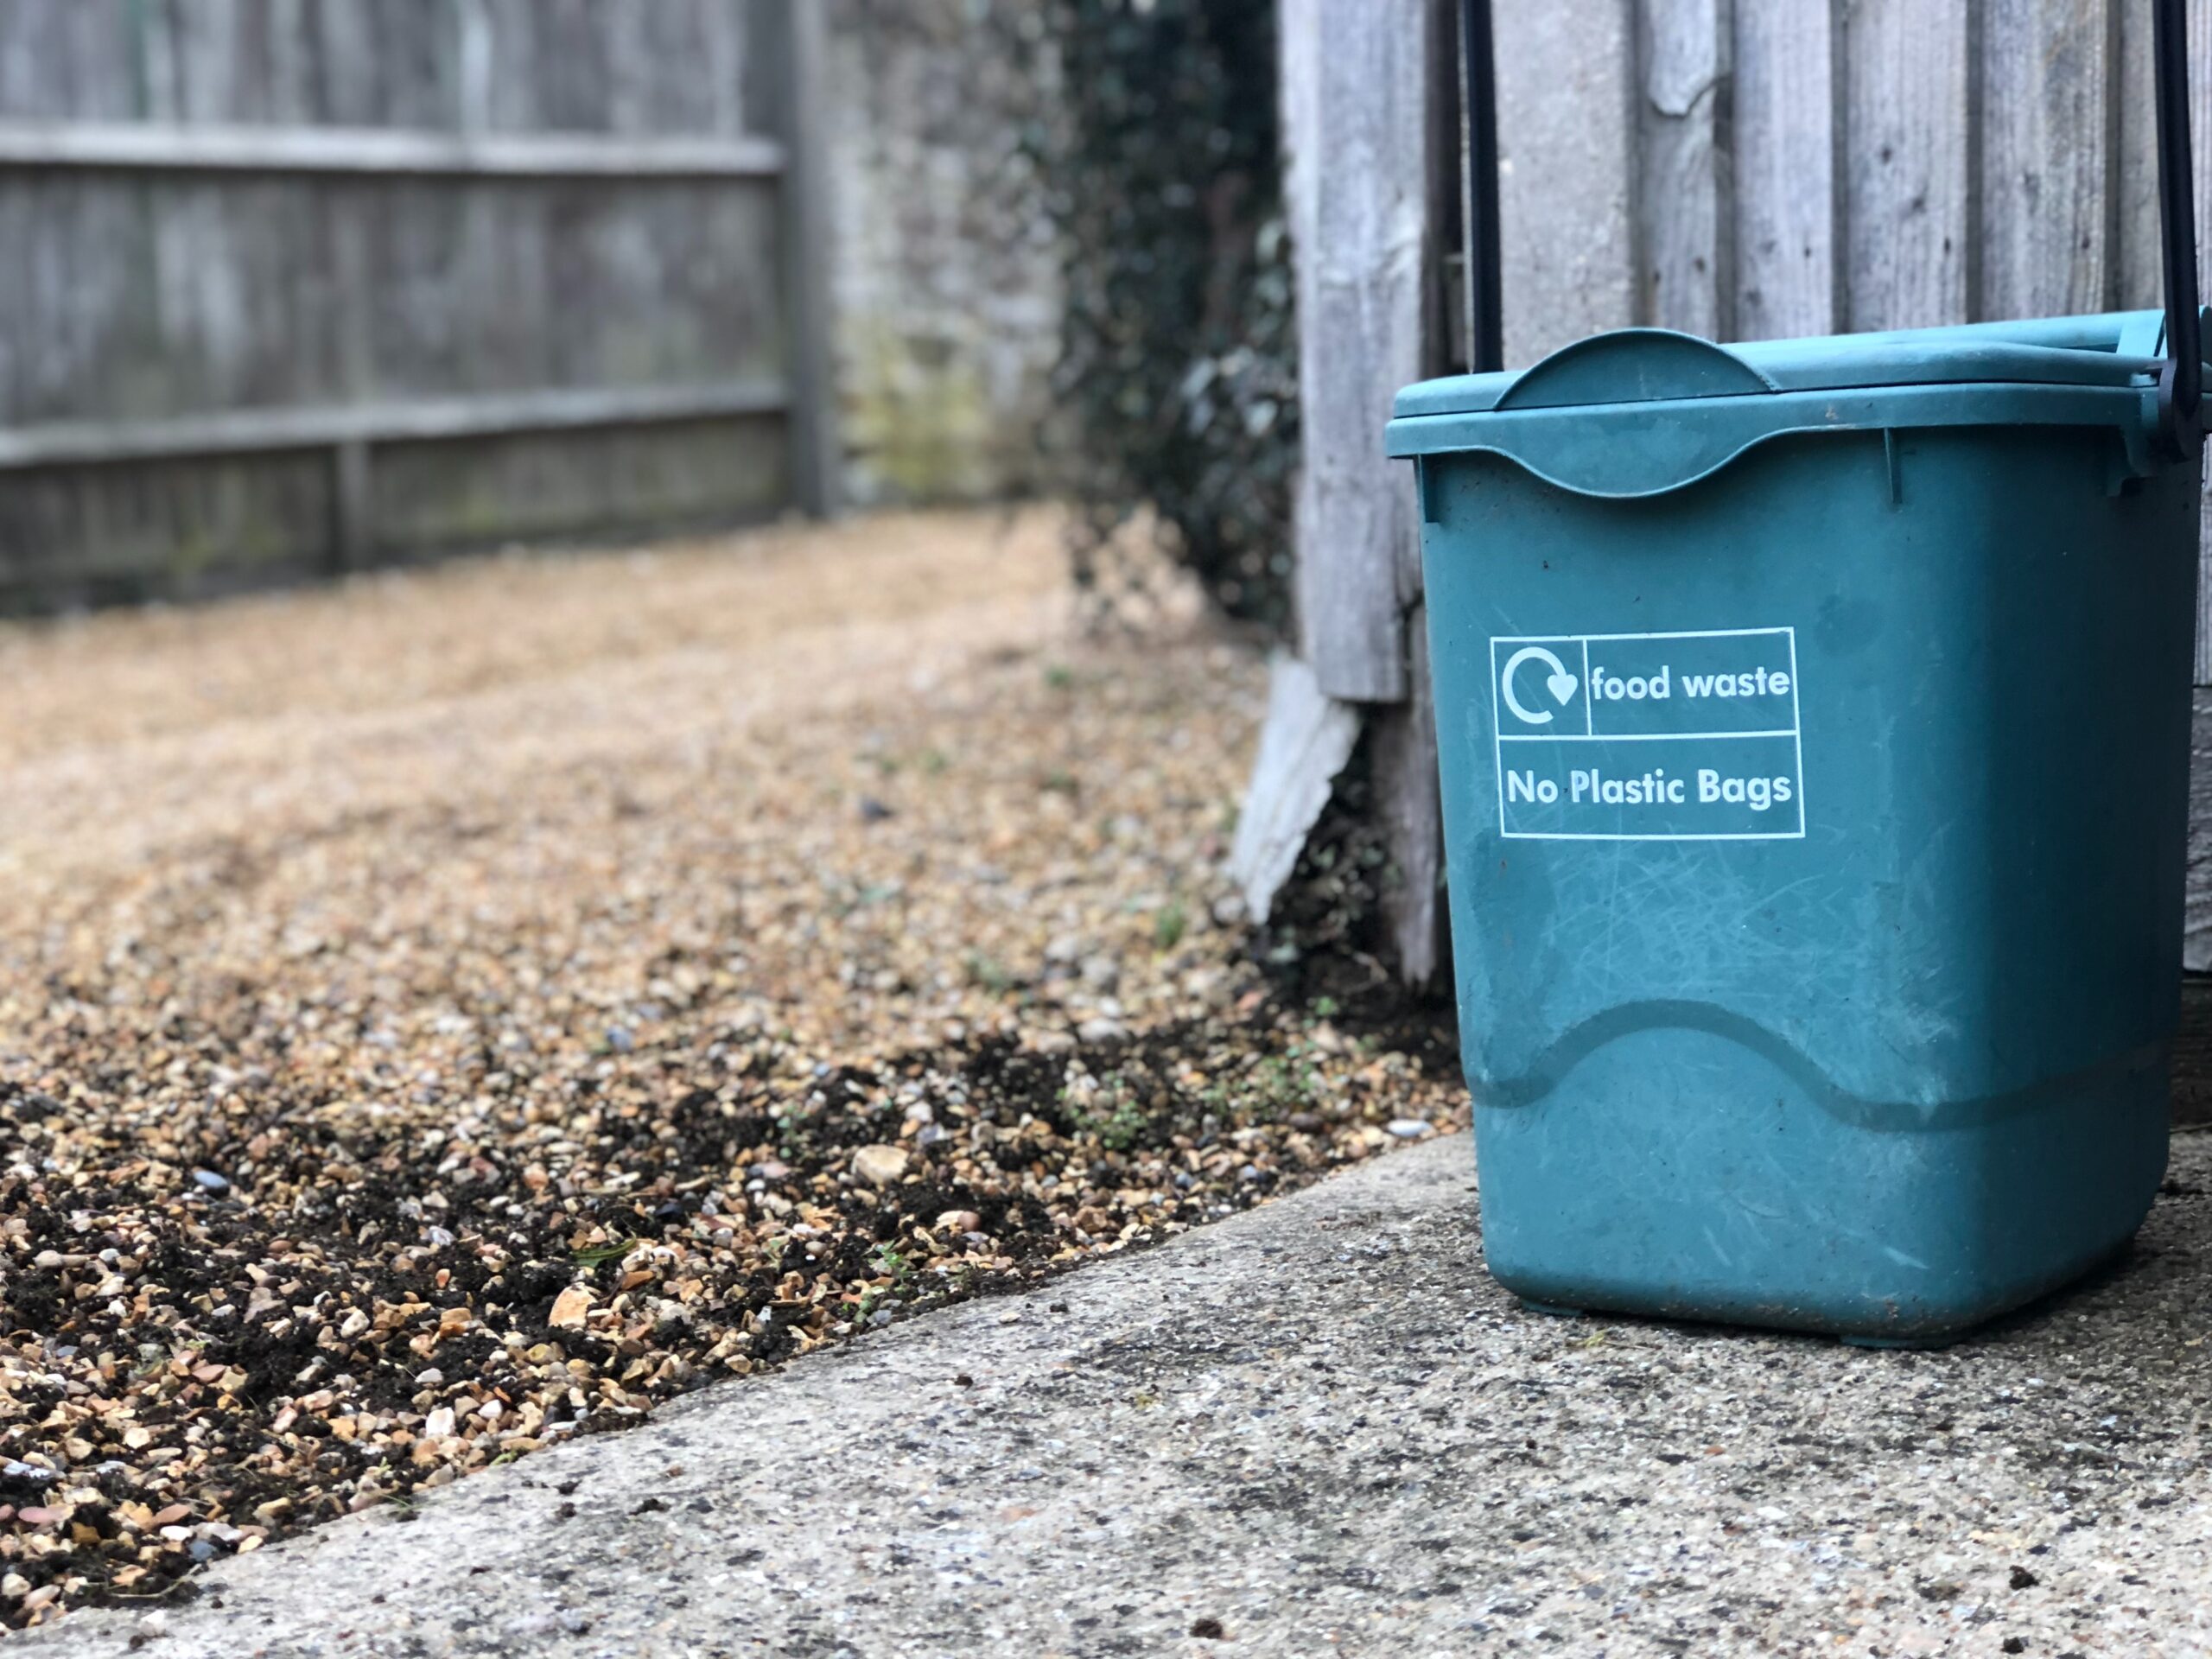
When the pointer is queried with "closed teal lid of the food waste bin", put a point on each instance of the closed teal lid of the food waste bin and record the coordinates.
(1640, 413)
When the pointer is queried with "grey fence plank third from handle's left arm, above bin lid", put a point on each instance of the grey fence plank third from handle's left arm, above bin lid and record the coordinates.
(1786, 158)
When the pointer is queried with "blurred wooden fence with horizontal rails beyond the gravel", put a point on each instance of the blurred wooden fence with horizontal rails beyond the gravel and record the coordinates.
(313, 284)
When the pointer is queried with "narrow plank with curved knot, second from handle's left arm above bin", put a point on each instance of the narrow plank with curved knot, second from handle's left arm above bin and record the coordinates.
(1684, 198)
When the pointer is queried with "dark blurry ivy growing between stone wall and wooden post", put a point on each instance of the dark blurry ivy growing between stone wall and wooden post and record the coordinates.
(1158, 147)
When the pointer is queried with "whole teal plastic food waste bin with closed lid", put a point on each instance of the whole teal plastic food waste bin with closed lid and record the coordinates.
(1815, 744)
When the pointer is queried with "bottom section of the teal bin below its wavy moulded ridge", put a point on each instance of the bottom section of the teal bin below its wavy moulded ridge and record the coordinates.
(1680, 1173)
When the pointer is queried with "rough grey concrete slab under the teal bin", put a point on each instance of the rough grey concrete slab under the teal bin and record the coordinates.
(1326, 1430)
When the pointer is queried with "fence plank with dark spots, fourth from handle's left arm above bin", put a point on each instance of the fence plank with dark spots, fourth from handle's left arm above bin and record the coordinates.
(1908, 140)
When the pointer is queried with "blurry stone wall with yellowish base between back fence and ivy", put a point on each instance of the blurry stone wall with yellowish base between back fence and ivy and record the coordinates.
(948, 293)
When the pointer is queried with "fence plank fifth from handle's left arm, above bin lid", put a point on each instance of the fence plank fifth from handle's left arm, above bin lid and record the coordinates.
(2049, 211)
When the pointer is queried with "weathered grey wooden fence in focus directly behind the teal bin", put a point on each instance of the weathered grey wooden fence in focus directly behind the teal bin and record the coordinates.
(1738, 169)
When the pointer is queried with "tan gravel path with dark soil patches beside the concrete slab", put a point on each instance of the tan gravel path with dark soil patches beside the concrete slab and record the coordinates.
(474, 1008)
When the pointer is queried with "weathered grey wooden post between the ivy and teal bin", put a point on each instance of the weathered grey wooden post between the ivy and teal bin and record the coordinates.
(1370, 132)
